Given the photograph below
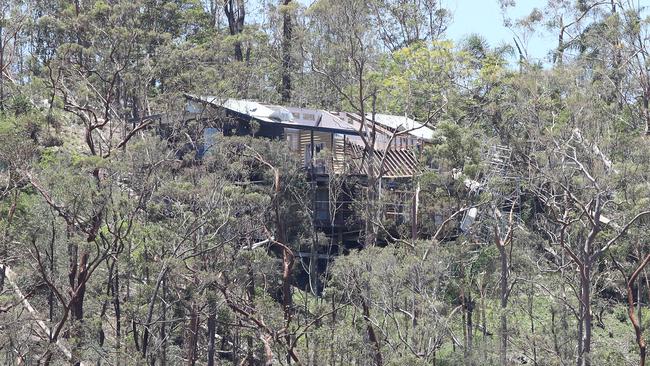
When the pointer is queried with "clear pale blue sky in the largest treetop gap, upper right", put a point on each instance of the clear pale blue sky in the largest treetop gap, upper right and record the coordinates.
(484, 17)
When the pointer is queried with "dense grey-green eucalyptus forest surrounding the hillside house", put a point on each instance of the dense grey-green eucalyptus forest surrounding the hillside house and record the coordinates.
(189, 250)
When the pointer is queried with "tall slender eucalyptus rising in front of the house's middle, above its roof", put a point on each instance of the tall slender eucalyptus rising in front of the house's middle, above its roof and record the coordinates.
(345, 55)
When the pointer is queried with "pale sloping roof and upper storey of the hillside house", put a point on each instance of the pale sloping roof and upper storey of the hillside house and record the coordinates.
(312, 132)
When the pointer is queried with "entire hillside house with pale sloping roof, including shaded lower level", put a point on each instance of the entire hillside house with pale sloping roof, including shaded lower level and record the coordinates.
(330, 144)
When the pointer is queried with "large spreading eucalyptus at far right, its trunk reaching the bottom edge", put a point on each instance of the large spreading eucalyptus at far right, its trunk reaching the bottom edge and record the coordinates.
(573, 170)
